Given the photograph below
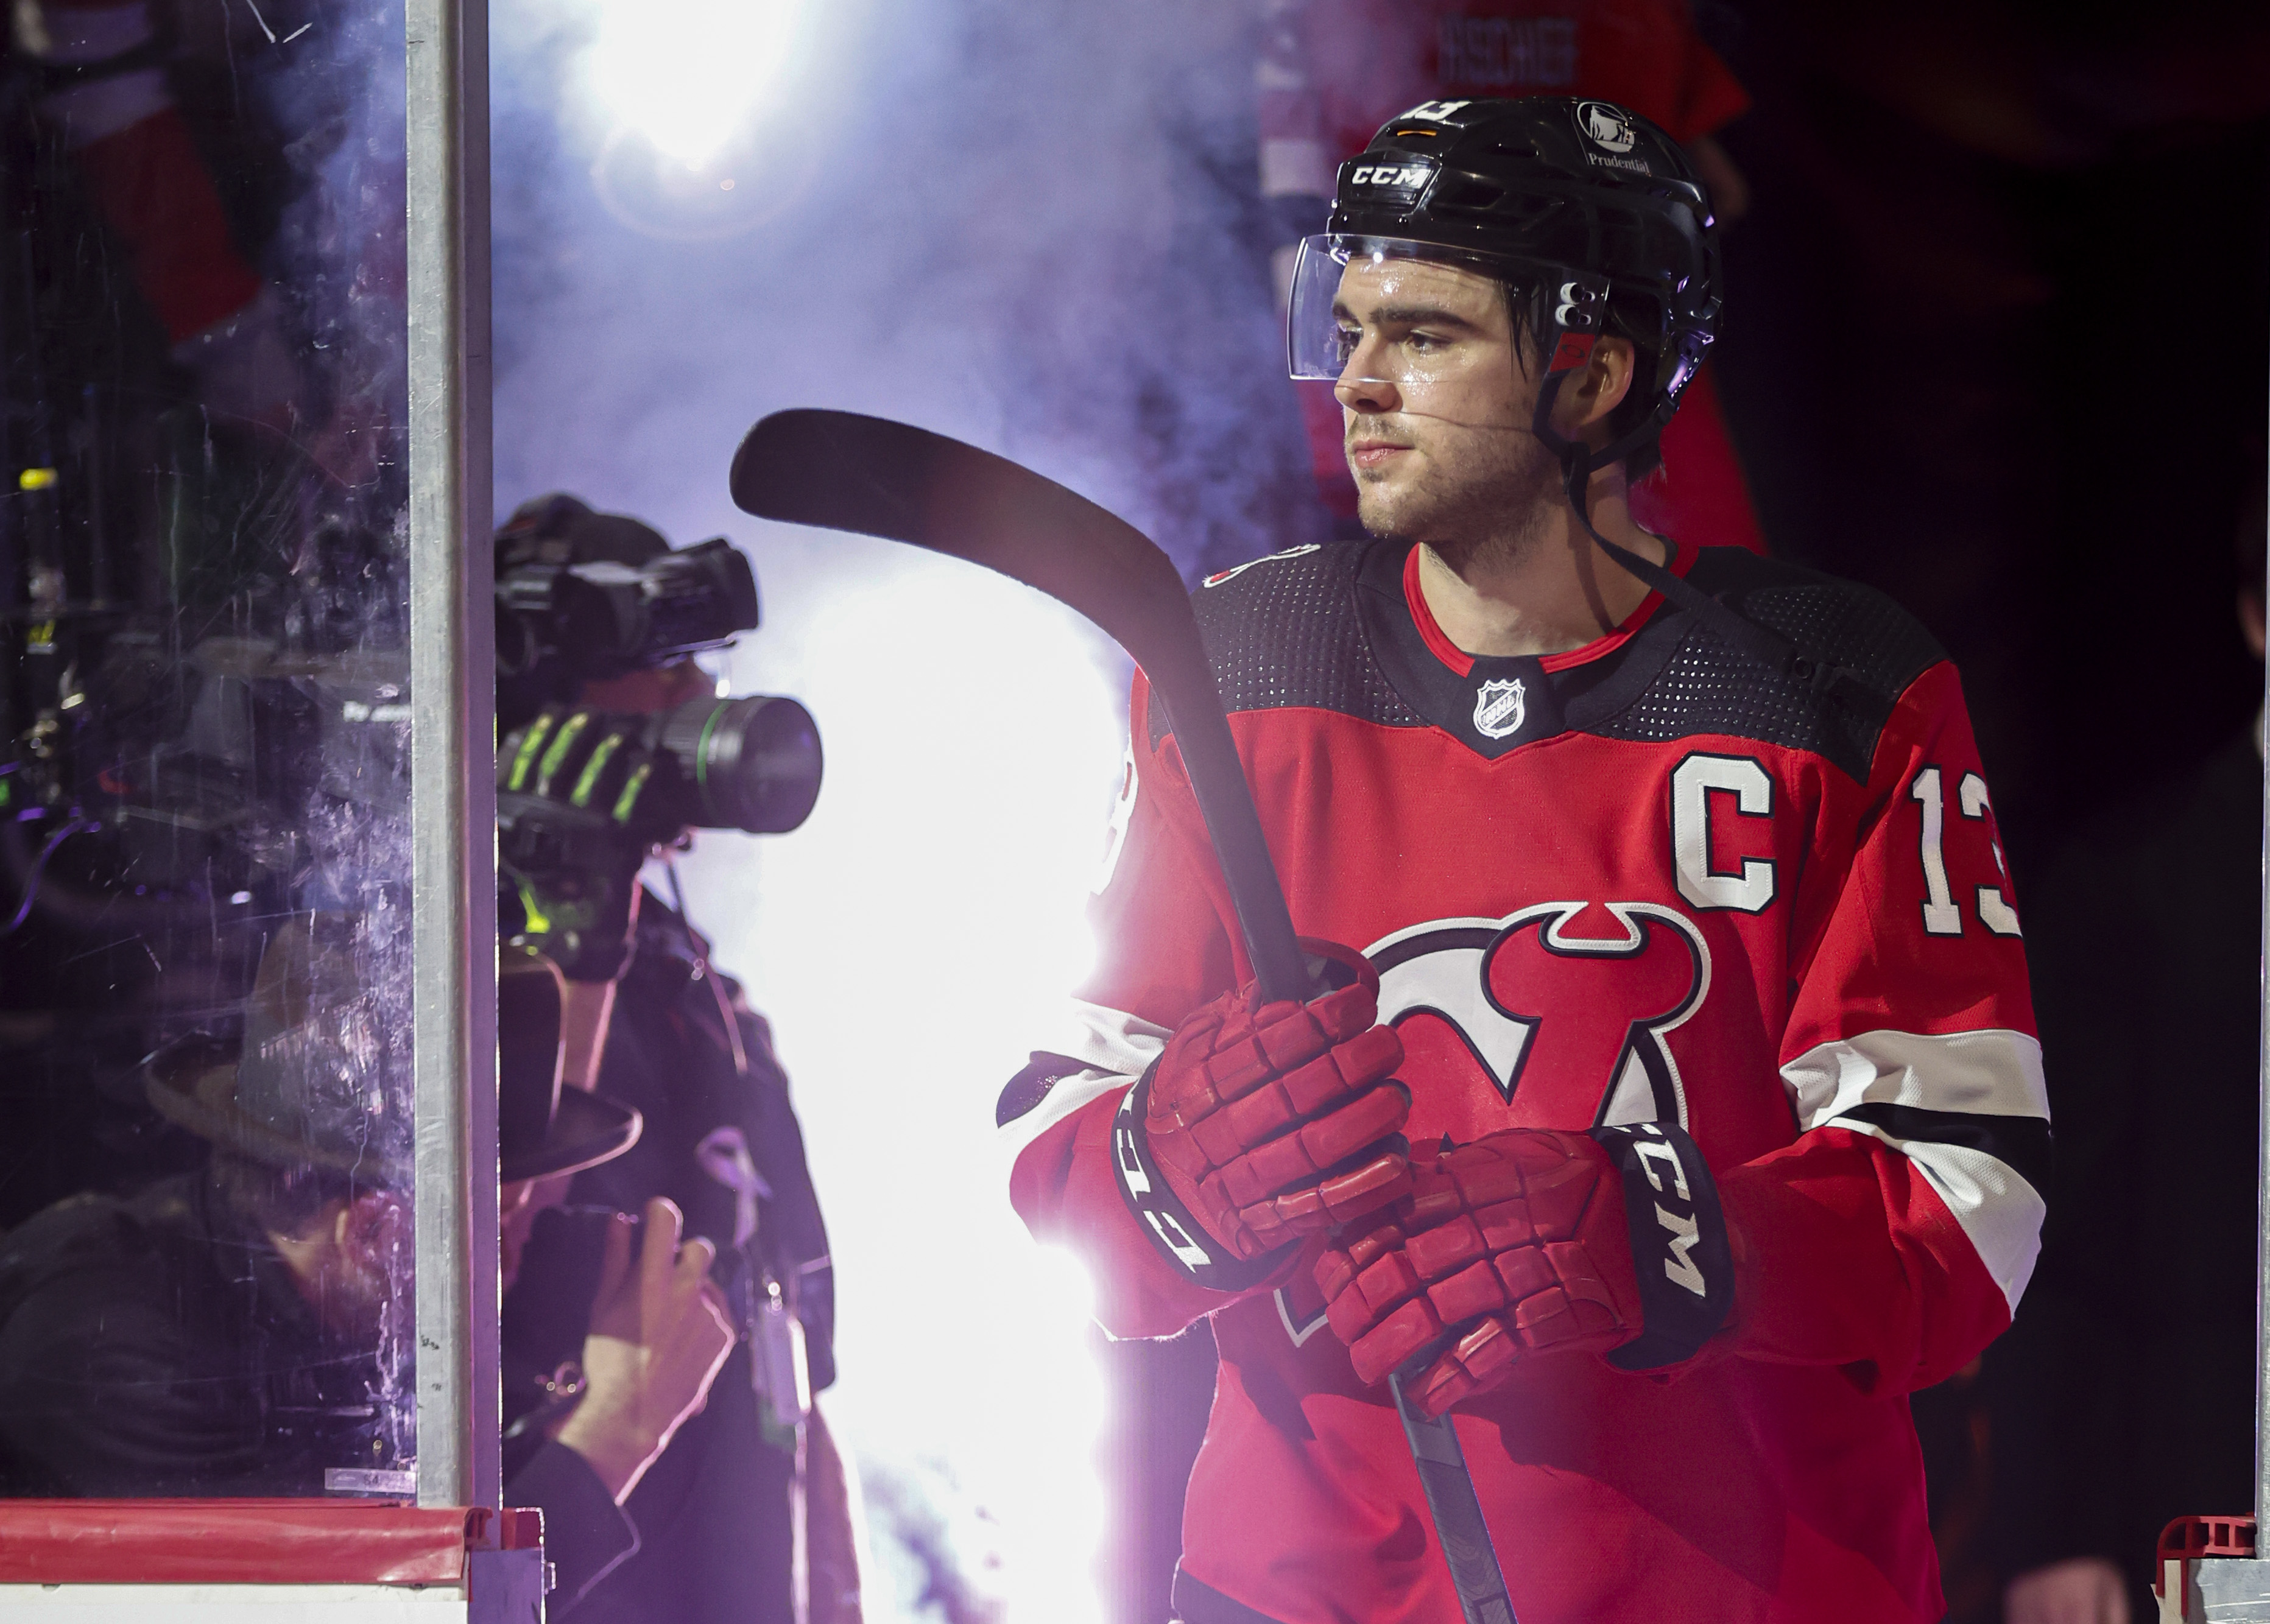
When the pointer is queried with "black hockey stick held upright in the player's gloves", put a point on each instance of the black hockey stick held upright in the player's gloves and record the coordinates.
(877, 477)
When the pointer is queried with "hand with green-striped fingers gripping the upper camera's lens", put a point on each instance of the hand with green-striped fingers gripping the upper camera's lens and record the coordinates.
(573, 831)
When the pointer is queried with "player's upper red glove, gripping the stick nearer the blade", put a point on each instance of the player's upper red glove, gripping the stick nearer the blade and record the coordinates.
(1266, 1122)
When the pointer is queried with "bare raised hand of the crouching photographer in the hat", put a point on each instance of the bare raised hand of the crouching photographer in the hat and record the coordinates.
(659, 1335)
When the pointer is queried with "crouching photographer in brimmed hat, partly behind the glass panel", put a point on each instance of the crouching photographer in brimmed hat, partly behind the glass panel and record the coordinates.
(226, 1333)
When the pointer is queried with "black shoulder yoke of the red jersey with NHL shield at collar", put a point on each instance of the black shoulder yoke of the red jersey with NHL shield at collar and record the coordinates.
(1331, 629)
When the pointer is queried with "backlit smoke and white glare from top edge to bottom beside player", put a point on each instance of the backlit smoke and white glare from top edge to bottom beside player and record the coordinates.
(1034, 228)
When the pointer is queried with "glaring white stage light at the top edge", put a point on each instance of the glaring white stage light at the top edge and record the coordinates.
(689, 74)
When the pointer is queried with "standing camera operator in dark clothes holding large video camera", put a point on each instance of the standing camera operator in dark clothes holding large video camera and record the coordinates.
(603, 704)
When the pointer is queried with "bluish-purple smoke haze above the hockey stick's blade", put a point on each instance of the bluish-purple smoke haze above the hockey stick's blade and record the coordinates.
(1029, 226)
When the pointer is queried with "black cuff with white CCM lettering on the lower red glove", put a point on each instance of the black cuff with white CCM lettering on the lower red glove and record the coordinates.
(1681, 1253)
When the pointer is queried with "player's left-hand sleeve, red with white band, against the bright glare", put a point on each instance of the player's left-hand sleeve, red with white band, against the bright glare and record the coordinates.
(1163, 947)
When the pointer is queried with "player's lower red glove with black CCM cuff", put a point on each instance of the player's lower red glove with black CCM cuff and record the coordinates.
(1536, 1242)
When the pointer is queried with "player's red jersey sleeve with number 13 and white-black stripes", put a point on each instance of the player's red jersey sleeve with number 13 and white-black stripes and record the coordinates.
(1897, 1235)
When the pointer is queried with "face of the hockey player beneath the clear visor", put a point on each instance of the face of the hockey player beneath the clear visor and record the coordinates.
(1436, 403)
